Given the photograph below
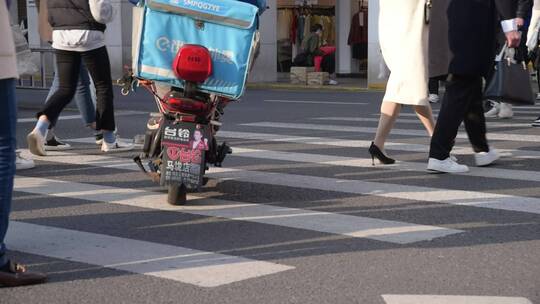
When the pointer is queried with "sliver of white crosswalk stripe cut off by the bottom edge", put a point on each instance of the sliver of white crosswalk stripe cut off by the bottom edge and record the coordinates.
(436, 299)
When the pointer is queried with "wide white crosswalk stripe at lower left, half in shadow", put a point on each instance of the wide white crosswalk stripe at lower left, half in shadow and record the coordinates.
(200, 268)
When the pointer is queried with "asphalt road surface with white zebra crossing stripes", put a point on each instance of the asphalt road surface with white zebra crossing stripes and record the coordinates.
(297, 214)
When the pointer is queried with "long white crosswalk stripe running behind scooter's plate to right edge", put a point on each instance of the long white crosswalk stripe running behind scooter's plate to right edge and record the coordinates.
(417, 193)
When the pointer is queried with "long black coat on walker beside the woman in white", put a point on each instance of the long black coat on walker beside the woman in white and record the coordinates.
(463, 35)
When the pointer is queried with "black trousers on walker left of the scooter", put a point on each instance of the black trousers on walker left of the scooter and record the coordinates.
(99, 67)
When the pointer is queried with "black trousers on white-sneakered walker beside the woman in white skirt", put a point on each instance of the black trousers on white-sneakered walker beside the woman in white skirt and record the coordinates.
(462, 102)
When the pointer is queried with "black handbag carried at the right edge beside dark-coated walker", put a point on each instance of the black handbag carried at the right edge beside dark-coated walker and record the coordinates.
(511, 81)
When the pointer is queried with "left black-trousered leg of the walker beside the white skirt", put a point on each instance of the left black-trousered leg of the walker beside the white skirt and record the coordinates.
(460, 91)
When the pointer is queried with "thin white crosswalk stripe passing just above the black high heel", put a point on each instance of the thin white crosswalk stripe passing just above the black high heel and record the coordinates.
(405, 132)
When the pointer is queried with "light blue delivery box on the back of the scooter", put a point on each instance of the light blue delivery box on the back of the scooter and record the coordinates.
(227, 28)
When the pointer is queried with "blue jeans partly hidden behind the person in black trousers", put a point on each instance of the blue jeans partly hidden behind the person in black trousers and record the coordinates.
(83, 96)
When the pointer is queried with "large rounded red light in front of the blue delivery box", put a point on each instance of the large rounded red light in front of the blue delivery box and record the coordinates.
(193, 63)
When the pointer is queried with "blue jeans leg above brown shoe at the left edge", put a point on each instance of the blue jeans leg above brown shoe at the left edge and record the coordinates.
(8, 122)
